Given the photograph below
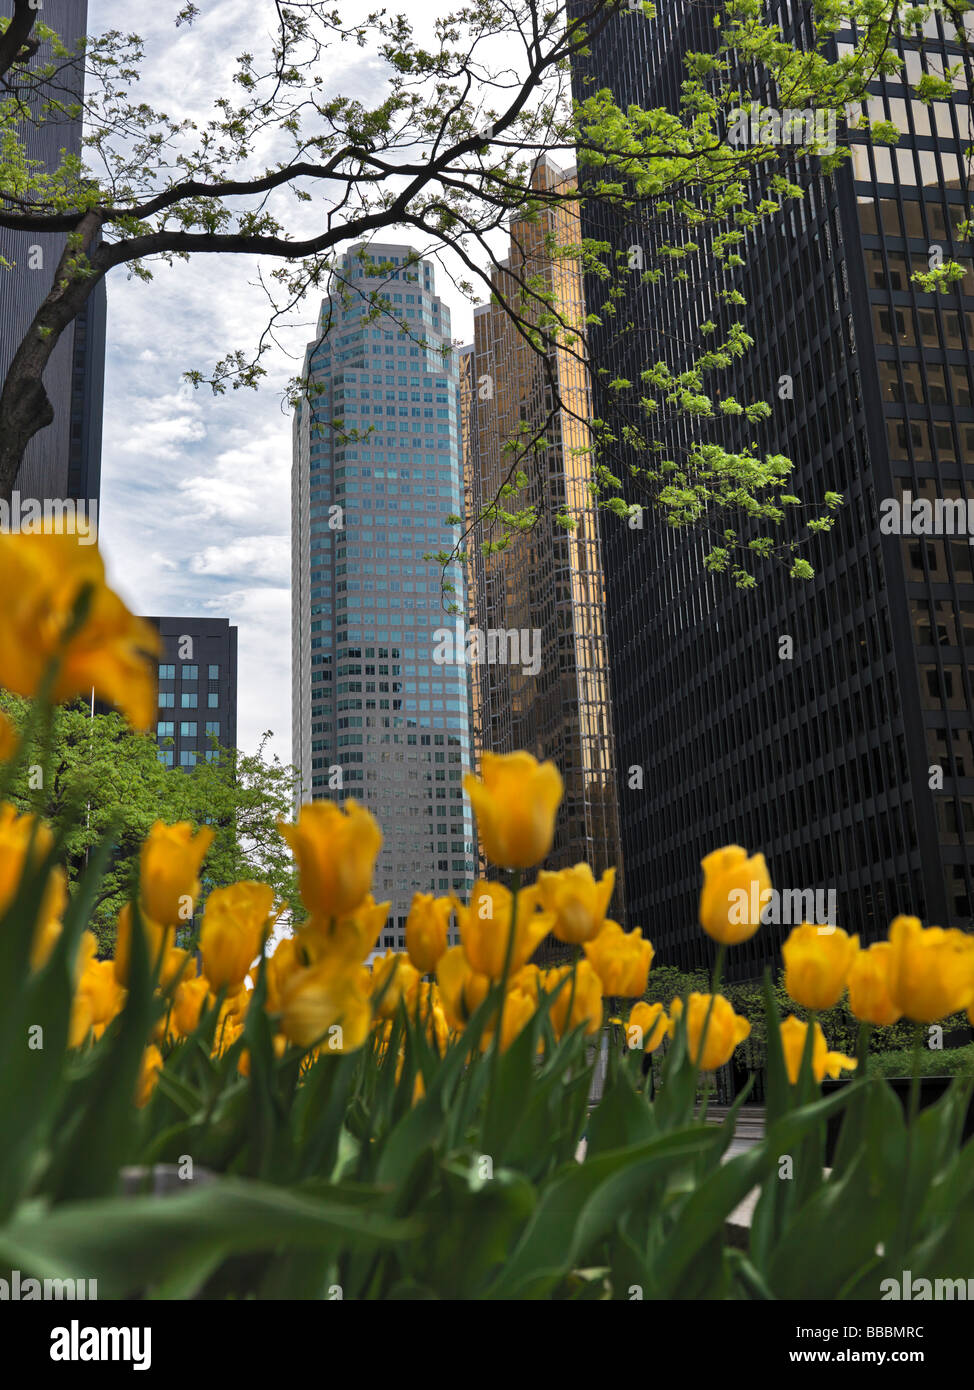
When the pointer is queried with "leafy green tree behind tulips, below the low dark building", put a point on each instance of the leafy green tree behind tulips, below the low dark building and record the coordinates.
(106, 779)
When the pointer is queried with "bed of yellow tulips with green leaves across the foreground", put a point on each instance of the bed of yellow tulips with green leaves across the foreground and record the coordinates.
(413, 1129)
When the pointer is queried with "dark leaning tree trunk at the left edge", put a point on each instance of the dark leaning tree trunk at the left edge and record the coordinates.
(26, 408)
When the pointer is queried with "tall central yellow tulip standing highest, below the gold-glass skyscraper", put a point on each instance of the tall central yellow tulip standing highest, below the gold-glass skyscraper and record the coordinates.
(516, 801)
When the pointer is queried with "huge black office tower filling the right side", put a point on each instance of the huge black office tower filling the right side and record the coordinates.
(826, 722)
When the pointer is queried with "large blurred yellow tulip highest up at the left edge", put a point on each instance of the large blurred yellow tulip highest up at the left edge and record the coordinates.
(41, 580)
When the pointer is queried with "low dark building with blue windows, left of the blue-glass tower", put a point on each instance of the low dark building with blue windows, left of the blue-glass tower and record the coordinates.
(197, 689)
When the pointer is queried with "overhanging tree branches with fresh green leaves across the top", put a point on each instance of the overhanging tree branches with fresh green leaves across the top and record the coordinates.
(447, 154)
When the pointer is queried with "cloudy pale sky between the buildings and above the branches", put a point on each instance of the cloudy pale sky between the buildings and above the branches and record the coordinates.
(195, 512)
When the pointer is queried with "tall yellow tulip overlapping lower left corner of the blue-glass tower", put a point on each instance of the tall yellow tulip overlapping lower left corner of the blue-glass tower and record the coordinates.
(336, 850)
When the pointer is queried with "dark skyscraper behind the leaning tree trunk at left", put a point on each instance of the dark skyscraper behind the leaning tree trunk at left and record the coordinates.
(65, 461)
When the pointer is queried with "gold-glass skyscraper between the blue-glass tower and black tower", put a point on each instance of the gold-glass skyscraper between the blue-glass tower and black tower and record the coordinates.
(554, 700)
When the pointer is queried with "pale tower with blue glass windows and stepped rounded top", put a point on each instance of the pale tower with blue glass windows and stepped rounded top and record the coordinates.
(381, 705)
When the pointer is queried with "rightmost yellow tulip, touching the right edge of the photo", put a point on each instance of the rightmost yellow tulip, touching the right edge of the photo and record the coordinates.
(932, 971)
